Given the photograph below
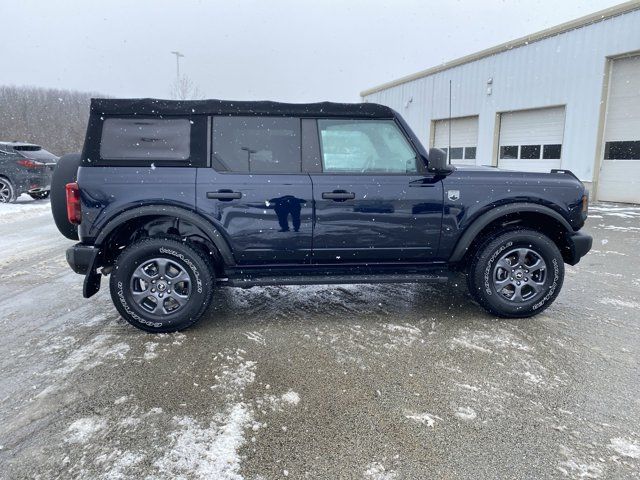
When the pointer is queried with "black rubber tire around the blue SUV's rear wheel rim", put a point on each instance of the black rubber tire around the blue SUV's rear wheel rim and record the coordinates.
(187, 257)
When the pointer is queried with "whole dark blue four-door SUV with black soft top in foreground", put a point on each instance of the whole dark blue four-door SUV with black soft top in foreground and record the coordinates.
(176, 198)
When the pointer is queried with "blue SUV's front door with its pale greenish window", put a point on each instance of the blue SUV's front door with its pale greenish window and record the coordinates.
(374, 200)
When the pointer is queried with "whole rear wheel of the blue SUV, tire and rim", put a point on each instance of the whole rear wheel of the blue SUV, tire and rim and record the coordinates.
(161, 284)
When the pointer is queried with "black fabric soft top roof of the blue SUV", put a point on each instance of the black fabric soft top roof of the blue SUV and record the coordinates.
(153, 106)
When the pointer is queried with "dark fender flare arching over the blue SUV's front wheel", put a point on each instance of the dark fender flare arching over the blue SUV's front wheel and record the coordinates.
(472, 231)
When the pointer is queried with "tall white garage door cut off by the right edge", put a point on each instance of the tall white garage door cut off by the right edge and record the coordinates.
(619, 179)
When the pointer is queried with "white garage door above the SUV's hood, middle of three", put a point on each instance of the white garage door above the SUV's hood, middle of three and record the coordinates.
(531, 140)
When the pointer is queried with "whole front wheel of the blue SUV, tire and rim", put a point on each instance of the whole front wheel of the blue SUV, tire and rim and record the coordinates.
(516, 274)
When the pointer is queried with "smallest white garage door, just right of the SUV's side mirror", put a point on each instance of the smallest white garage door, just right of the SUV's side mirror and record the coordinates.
(464, 139)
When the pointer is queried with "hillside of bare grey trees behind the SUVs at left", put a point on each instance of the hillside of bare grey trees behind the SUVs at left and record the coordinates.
(55, 119)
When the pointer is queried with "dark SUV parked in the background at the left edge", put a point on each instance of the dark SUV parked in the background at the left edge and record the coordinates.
(25, 168)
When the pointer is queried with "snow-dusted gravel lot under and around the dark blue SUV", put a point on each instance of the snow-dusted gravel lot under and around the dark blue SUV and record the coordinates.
(357, 381)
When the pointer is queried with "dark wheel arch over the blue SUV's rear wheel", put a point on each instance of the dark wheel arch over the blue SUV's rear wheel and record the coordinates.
(164, 219)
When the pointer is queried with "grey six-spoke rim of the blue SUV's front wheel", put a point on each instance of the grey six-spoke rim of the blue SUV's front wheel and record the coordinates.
(520, 275)
